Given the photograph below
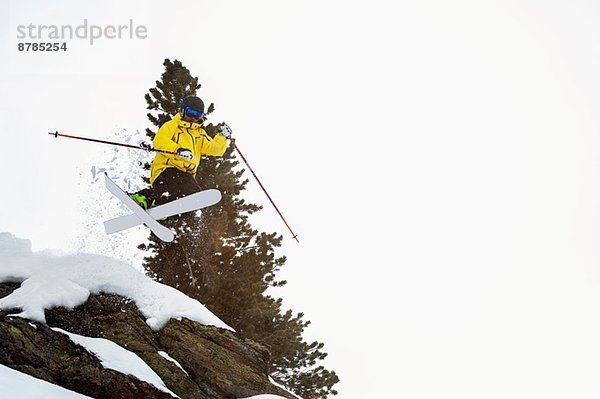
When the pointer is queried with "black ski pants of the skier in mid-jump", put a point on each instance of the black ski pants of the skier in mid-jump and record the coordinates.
(170, 185)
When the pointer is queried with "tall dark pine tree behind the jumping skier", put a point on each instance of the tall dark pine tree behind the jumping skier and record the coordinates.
(223, 262)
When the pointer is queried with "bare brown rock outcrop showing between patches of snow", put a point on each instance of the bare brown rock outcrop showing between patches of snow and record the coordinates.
(213, 363)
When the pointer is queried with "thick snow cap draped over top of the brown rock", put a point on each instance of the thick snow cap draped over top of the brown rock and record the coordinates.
(66, 280)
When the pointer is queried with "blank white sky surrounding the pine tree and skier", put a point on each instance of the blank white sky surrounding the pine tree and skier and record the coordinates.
(439, 161)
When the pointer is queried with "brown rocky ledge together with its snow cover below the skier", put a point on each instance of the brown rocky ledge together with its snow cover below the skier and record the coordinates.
(121, 333)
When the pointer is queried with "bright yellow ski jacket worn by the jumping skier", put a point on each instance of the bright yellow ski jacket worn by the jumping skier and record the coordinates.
(176, 134)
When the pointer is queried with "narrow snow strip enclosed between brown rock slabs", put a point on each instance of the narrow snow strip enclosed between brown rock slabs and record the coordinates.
(115, 357)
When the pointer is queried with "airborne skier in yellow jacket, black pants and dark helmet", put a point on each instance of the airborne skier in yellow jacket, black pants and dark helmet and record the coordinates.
(173, 176)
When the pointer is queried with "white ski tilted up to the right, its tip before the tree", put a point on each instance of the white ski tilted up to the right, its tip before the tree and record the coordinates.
(189, 203)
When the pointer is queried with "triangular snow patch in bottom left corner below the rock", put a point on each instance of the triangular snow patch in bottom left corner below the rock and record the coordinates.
(19, 385)
